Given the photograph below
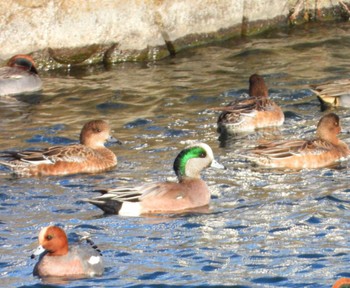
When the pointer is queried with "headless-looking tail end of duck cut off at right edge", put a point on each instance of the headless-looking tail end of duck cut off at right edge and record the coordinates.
(336, 93)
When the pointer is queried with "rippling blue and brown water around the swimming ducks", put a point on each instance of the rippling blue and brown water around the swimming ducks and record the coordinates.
(266, 228)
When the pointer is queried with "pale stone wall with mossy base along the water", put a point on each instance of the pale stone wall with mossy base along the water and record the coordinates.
(91, 31)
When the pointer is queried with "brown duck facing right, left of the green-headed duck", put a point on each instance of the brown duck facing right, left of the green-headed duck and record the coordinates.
(90, 156)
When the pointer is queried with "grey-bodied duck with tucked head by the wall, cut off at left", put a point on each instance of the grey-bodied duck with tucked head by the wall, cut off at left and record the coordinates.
(19, 76)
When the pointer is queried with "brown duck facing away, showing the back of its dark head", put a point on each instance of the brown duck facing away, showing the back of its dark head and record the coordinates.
(257, 111)
